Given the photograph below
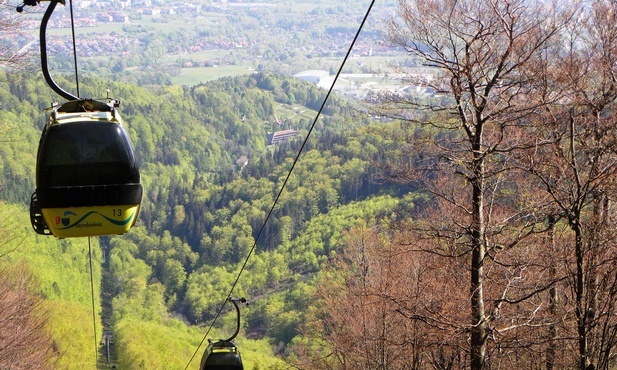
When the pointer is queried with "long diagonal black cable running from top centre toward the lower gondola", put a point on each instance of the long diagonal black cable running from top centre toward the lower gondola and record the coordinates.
(282, 188)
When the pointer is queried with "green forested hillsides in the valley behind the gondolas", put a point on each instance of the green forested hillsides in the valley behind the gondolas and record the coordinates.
(164, 281)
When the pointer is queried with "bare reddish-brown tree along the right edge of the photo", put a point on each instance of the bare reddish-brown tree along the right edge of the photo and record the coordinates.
(578, 170)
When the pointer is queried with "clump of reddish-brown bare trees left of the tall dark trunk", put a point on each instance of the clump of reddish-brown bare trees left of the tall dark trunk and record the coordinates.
(359, 321)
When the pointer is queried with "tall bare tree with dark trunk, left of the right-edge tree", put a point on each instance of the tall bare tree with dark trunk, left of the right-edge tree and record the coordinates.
(488, 59)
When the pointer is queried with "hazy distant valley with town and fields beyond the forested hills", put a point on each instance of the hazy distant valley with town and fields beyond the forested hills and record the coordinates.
(189, 36)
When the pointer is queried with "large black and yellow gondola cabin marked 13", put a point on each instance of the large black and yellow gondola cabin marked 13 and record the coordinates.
(87, 177)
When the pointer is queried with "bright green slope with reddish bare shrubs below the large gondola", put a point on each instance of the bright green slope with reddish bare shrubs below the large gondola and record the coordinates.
(43, 280)
